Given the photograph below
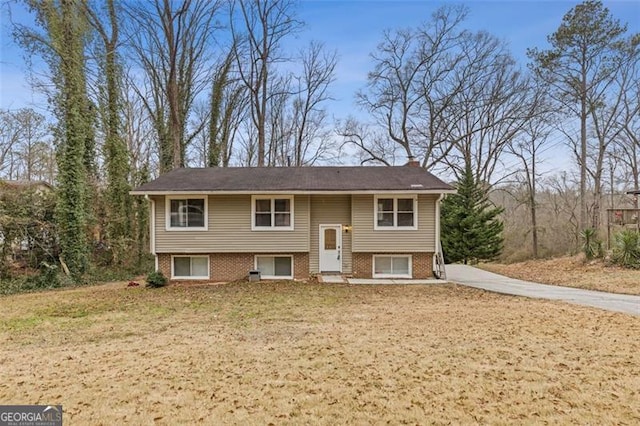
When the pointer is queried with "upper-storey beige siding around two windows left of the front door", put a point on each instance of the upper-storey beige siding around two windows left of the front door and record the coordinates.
(229, 229)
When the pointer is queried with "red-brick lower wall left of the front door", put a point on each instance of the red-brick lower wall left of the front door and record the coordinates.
(236, 266)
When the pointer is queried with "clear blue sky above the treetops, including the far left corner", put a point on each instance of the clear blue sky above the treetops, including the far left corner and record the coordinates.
(353, 29)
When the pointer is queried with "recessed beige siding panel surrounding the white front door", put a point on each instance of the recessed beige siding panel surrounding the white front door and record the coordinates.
(330, 210)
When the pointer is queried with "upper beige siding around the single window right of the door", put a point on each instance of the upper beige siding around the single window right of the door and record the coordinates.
(367, 239)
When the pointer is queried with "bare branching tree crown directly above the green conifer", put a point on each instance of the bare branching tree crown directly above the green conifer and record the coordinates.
(492, 108)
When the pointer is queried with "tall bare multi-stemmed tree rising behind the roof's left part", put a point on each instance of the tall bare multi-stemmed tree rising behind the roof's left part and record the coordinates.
(171, 42)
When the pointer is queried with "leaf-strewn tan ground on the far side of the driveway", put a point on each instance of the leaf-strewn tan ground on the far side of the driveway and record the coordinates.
(572, 272)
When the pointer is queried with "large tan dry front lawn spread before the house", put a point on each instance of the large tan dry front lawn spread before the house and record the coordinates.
(297, 353)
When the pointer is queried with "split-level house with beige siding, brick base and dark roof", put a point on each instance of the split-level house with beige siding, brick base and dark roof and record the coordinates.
(293, 222)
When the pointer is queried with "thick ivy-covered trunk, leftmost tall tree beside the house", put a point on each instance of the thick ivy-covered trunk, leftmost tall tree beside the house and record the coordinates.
(61, 43)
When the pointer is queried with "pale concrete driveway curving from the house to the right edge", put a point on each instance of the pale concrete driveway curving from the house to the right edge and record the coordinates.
(474, 277)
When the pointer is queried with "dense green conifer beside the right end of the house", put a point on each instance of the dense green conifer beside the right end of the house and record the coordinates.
(471, 229)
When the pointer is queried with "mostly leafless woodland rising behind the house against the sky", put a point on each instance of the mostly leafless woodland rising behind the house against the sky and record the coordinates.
(136, 89)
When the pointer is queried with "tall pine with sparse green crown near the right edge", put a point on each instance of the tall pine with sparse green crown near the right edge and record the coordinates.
(579, 68)
